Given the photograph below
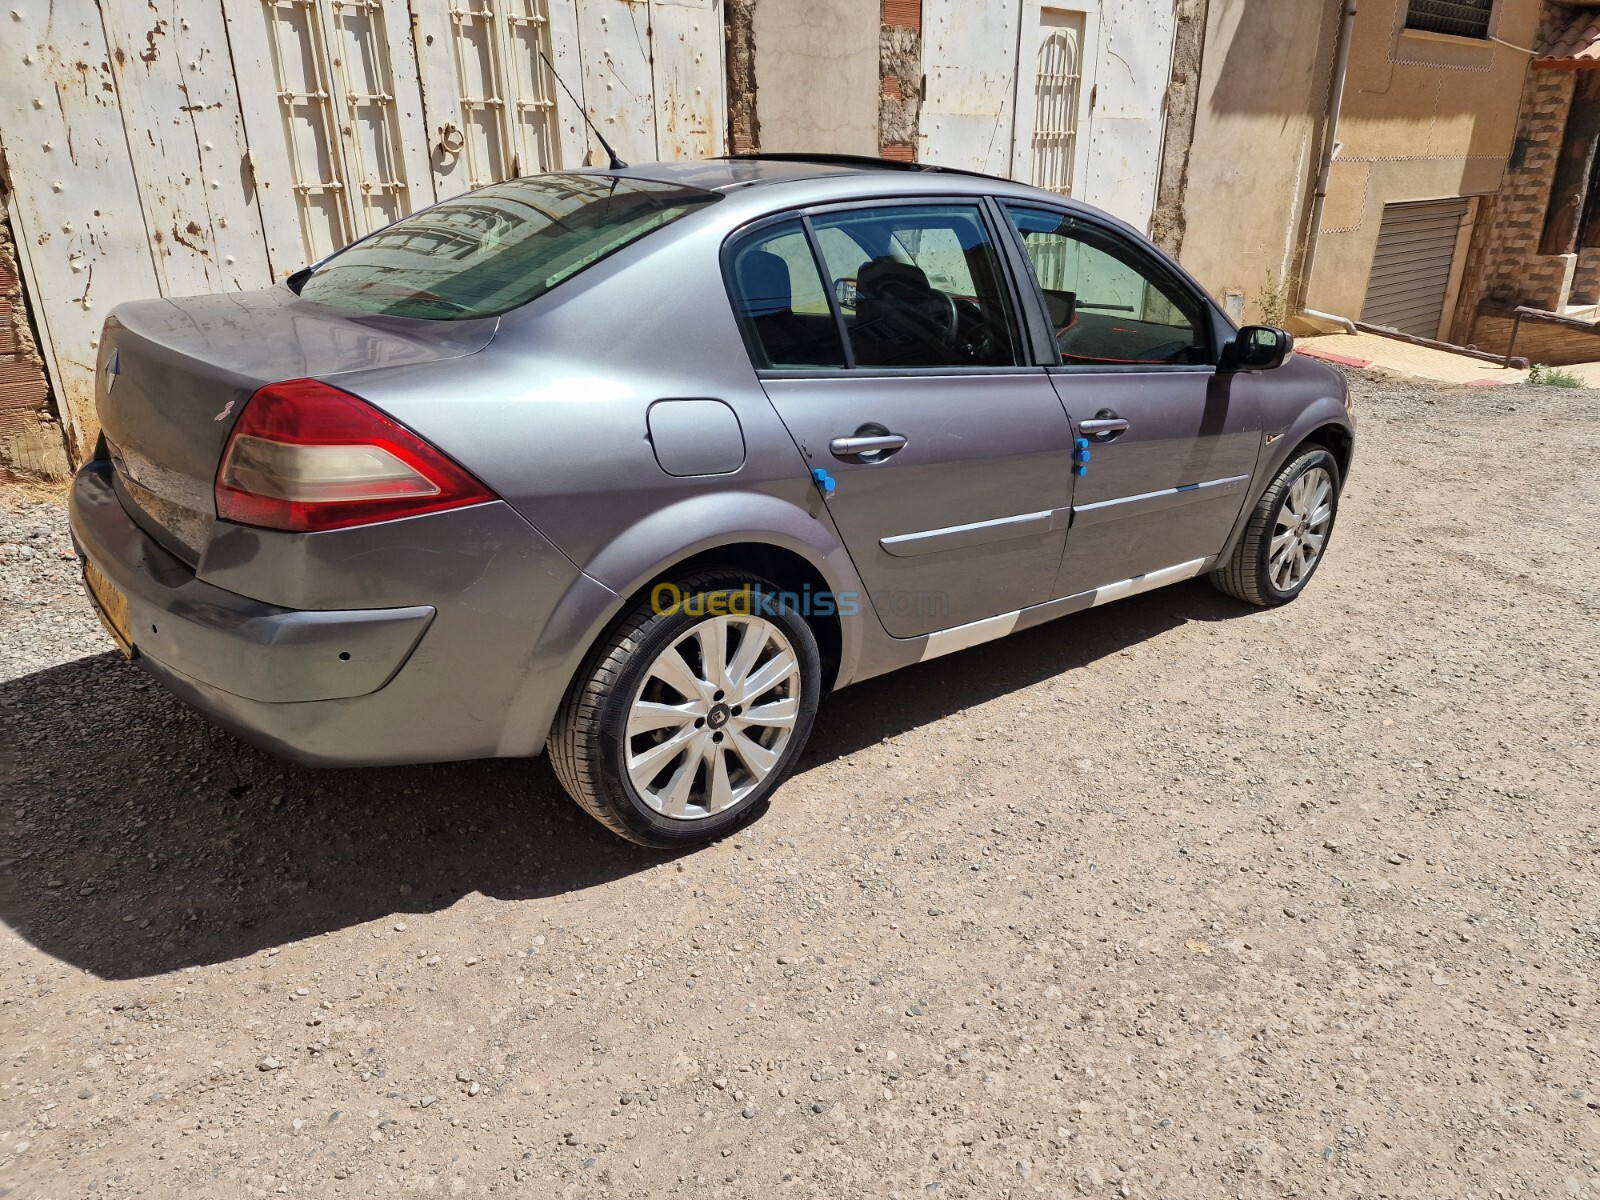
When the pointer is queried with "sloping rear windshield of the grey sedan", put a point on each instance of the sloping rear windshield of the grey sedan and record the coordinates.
(497, 249)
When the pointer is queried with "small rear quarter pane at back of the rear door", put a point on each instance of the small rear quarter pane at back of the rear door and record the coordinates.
(782, 302)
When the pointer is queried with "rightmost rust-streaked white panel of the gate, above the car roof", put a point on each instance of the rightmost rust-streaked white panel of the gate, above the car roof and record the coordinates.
(689, 79)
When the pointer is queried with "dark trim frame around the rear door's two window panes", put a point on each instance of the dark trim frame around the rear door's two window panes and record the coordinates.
(1001, 239)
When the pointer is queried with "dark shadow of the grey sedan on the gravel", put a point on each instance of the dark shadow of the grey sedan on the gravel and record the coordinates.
(142, 839)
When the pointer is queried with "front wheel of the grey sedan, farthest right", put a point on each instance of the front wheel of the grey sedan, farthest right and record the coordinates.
(1287, 535)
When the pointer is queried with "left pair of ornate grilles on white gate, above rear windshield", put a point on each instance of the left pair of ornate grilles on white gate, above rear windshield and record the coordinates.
(335, 87)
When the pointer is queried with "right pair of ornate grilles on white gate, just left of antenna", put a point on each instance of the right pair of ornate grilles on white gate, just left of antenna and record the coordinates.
(508, 105)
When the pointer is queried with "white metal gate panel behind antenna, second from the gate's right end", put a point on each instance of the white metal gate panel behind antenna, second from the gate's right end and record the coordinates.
(614, 39)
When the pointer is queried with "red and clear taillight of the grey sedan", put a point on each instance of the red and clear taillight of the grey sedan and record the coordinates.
(308, 457)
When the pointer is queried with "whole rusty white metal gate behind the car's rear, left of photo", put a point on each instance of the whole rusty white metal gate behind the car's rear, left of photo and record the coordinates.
(164, 150)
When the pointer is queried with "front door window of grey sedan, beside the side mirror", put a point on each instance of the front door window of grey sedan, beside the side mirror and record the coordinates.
(1110, 303)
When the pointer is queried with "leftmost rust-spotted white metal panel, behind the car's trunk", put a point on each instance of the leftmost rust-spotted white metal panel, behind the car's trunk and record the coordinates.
(76, 209)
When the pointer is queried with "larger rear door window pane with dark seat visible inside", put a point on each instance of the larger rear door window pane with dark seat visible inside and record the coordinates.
(919, 287)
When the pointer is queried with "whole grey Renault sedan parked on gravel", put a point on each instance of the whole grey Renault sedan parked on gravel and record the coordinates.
(636, 465)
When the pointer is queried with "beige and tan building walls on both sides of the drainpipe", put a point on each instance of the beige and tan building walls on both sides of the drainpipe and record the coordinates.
(1426, 118)
